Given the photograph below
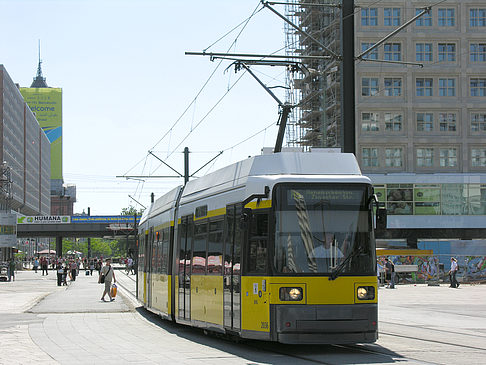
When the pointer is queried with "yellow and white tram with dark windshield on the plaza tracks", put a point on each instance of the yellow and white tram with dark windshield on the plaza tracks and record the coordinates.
(277, 247)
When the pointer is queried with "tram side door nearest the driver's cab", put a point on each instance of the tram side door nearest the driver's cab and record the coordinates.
(234, 234)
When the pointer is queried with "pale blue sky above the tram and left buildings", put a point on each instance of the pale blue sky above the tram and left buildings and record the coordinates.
(128, 88)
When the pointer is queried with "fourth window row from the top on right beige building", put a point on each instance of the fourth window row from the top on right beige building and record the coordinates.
(444, 122)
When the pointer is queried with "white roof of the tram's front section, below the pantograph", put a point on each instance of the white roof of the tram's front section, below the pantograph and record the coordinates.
(343, 165)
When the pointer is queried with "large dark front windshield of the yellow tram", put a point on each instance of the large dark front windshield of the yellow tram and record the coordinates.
(324, 229)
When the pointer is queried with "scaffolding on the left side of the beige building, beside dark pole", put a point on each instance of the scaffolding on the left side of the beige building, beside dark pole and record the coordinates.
(316, 120)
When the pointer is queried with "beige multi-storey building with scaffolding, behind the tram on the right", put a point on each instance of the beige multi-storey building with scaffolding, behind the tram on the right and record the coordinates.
(421, 131)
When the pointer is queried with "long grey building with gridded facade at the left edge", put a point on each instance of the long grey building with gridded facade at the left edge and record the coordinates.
(24, 158)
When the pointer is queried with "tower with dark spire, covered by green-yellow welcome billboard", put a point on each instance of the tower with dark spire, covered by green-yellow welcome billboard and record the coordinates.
(46, 103)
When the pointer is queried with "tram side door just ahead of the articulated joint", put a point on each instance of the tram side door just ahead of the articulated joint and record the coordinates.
(184, 262)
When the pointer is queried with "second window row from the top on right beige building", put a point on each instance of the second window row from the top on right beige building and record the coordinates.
(426, 51)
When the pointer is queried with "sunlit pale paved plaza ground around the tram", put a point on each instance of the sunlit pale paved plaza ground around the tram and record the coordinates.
(41, 323)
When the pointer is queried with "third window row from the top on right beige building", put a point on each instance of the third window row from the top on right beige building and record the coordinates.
(424, 86)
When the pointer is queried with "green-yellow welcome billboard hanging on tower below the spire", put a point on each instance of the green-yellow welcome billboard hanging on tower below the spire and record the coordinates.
(46, 104)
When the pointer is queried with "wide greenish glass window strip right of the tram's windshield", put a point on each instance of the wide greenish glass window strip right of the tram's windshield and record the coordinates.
(433, 199)
